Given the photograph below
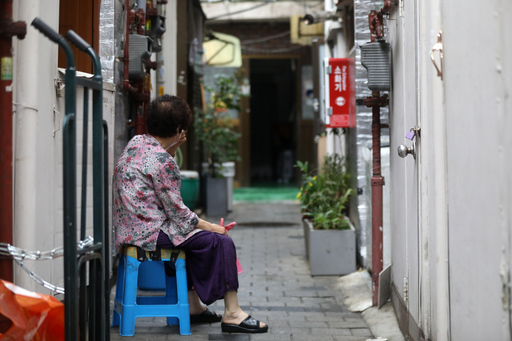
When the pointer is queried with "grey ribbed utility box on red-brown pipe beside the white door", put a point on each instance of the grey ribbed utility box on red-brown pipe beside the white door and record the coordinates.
(375, 58)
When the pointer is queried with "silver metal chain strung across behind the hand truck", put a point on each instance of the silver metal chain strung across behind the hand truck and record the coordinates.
(20, 255)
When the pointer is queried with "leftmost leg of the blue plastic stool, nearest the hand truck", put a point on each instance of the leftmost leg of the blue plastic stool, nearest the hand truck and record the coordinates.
(127, 323)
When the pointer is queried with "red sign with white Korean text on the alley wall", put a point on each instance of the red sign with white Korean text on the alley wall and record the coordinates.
(341, 96)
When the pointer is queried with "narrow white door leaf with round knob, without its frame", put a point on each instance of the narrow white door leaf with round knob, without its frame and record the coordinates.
(404, 171)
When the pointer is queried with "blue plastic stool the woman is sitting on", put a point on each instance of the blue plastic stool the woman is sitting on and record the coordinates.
(174, 305)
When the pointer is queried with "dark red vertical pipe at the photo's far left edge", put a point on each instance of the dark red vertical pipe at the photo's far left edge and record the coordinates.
(8, 29)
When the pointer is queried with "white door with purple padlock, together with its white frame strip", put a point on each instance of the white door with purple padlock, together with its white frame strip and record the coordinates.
(418, 215)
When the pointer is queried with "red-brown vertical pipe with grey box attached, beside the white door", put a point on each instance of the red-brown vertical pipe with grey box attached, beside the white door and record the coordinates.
(375, 57)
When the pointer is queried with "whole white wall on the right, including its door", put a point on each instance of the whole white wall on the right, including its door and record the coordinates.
(451, 207)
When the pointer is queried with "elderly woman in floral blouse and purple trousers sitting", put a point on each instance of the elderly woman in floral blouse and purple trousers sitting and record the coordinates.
(149, 212)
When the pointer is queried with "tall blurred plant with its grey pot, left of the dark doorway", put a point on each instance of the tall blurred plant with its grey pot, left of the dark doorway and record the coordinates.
(215, 128)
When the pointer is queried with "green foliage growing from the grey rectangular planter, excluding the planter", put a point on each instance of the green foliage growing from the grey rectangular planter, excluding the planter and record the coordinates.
(324, 197)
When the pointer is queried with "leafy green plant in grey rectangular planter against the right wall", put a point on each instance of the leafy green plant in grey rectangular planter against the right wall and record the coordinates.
(329, 235)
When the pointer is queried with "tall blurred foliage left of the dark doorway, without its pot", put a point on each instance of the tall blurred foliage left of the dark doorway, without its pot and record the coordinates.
(215, 128)
